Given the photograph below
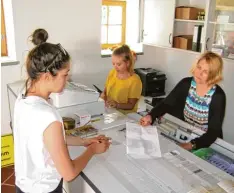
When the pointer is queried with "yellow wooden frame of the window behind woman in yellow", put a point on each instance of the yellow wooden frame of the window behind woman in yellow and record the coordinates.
(123, 5)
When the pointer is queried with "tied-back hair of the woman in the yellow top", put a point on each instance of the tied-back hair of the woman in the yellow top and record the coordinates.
(127, 54)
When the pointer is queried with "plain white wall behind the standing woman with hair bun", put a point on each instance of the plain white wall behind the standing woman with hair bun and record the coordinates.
(75, 24)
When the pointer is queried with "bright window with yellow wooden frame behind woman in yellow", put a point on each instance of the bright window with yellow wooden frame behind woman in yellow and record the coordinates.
(113, 29)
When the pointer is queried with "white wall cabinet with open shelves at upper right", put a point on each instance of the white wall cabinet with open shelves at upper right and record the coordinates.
(162, 26)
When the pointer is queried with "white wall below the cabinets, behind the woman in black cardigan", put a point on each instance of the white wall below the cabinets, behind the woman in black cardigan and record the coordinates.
(176, 64)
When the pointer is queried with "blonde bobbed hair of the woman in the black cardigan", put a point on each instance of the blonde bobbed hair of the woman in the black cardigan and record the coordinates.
(215, 64)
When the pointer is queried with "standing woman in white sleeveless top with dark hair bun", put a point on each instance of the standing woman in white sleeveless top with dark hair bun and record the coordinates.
(42, 160)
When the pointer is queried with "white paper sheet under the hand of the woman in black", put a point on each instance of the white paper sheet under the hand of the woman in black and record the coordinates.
(142, 142)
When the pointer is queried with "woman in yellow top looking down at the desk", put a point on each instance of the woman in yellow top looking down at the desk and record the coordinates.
(123, 87)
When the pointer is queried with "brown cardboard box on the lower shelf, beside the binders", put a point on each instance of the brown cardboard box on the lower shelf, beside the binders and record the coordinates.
(183, 42)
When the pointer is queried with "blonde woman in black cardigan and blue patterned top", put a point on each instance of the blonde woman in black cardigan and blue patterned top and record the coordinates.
(197, 100)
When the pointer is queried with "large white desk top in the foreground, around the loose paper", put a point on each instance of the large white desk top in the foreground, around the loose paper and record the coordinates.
(117, 172)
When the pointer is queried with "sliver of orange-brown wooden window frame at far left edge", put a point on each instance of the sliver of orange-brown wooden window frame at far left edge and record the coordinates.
(3, 34)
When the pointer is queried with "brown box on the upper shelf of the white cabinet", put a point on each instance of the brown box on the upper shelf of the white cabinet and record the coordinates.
(190, 13)
